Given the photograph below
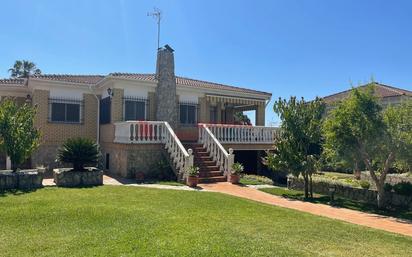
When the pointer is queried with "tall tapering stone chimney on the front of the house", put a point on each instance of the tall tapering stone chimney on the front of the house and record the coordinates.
(166, 99)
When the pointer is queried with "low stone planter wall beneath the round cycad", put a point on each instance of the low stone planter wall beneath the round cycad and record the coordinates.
(65, 177)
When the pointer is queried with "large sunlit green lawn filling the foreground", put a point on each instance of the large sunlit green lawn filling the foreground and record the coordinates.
(130, 221)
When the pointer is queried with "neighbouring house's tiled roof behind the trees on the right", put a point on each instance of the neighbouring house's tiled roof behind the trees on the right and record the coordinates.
(381, 91)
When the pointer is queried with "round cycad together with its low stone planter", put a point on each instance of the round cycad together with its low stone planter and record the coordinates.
(78, 152)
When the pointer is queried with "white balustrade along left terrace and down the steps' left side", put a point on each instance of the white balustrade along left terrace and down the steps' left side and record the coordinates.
(155, 132)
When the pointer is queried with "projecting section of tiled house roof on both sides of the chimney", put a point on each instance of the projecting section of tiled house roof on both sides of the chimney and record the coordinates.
(189, 82)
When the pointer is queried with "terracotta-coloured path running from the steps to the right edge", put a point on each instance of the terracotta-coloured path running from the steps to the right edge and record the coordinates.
(356, 217)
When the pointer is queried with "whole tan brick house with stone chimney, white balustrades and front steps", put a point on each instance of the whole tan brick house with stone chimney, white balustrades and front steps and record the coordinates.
(139, 119)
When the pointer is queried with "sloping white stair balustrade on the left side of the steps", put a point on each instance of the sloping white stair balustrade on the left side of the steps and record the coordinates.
(182, 159)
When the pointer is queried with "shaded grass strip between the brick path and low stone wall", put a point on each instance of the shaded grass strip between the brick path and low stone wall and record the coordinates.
(339, 202)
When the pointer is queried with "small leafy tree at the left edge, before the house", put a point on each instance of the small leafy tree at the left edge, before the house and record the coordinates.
(18, 136)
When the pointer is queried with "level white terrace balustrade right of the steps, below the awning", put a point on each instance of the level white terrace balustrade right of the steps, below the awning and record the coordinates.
(242, 134)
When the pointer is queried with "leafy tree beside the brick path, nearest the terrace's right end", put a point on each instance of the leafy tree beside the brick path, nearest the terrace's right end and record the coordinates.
(298, 147)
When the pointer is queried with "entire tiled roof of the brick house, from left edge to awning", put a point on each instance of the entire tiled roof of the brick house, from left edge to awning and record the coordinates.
(93, 79)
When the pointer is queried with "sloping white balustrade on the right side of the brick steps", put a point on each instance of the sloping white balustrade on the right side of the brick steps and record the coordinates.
(219, 154)
